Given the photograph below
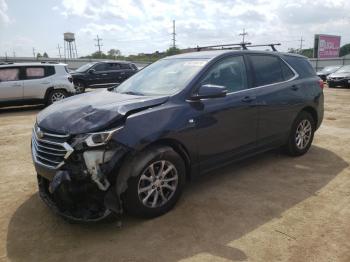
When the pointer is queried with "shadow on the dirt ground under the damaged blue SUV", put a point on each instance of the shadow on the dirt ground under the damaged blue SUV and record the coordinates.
(215, 210)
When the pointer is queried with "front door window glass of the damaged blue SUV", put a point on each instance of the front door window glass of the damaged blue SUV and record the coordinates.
(230, 73)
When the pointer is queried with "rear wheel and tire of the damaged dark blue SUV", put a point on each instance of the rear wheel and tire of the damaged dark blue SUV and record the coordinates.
(301, 134)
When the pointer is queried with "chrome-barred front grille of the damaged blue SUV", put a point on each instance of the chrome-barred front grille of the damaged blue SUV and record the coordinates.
(50, 149)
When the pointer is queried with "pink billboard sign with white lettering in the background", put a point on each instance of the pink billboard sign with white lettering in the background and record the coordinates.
(328, 46)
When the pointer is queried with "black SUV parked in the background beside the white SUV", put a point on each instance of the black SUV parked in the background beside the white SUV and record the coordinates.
(102, 74)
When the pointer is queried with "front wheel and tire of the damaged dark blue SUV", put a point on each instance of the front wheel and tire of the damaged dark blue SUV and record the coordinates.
(157, 183)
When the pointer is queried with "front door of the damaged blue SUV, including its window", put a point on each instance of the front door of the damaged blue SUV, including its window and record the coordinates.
(226, 126)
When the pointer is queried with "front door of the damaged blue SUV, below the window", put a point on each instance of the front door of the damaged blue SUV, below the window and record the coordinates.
(227, 127)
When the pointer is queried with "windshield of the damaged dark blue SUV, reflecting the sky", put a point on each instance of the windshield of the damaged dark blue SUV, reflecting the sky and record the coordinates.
(164, 77)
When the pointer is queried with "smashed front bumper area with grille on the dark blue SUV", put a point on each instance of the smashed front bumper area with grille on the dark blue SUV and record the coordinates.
(77, 183)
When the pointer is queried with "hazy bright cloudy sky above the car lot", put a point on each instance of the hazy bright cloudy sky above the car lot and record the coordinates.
(143, 26)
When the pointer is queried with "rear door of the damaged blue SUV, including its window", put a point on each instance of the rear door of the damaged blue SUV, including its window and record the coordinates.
(278, 97)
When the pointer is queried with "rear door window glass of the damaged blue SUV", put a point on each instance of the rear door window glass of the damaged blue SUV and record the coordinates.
(267, 69)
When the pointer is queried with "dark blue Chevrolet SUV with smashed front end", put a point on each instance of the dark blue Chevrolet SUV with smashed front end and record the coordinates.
(132, 148)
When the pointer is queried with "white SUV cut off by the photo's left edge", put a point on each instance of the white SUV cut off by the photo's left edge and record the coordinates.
(34, 83)
